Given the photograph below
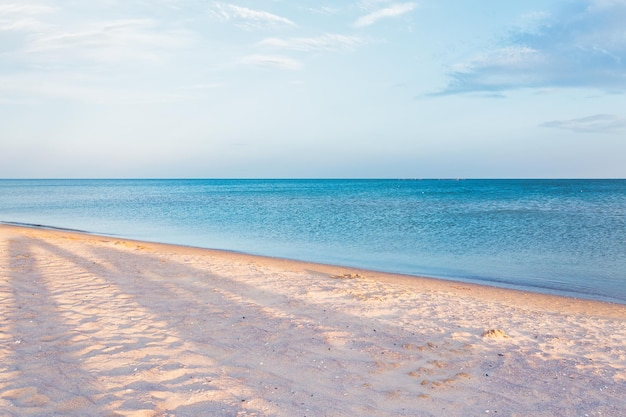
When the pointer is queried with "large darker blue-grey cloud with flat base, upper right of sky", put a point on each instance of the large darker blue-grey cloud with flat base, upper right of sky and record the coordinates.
(583, 45)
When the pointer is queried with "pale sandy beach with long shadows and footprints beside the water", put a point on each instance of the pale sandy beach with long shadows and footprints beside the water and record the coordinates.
(99, 326)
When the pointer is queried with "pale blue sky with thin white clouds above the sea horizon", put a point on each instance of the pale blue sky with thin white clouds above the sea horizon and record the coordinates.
(312, 89)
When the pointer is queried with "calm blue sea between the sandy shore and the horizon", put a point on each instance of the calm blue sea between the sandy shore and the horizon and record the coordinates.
(555, 236)
